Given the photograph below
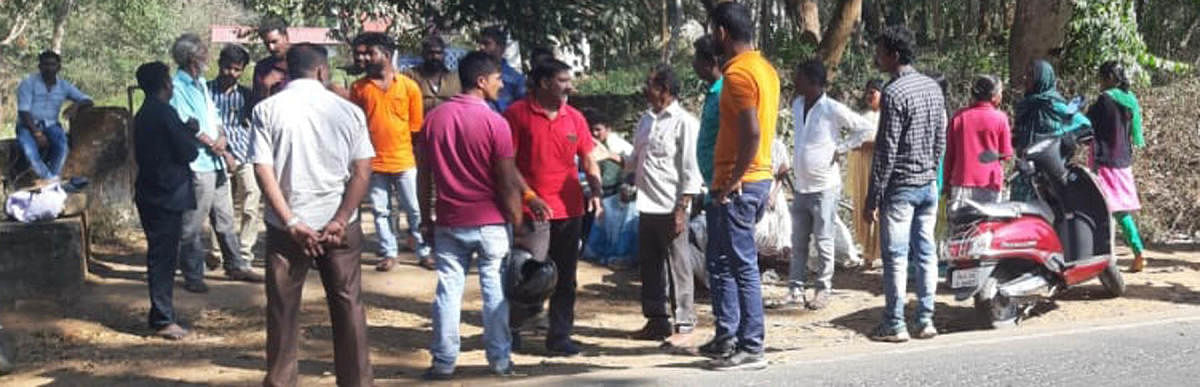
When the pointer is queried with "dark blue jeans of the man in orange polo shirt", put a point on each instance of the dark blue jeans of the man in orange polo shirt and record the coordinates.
(733, 261)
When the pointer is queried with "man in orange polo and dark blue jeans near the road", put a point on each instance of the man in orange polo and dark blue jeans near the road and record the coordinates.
(742, 174)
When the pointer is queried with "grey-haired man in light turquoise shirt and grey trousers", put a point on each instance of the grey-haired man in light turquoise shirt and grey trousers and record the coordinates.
(212, 182)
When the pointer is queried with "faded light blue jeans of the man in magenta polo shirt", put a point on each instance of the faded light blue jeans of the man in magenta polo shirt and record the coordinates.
(453, 251)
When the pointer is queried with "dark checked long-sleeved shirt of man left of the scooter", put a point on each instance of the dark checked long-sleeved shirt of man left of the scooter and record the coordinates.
(911, 138)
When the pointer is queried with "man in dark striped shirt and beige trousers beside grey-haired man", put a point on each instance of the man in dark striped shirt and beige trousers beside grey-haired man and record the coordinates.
(231, 102)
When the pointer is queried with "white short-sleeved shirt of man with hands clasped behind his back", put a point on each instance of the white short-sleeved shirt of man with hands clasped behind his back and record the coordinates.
(311, 138)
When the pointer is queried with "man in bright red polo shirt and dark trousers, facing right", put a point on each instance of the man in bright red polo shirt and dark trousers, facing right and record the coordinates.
(550, 136)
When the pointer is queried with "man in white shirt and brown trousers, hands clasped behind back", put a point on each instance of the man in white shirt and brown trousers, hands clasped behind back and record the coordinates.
(313, 156)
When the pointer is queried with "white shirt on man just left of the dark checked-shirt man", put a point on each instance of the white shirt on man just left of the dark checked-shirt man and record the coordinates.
(818, 140)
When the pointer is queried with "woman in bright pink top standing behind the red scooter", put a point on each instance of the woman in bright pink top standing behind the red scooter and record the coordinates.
(975, 130)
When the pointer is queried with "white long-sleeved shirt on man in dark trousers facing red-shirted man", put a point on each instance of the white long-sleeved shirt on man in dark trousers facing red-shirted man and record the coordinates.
(665, 159)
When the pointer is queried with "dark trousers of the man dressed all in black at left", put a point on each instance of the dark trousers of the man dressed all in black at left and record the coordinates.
(164, 230)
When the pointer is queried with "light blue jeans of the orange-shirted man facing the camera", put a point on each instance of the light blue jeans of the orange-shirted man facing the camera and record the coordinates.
(383, 187)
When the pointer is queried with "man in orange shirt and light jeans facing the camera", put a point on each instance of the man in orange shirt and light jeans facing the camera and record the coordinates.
(394, 112)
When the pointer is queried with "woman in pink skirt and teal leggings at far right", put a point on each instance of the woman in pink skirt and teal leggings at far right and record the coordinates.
(1117, 117)
